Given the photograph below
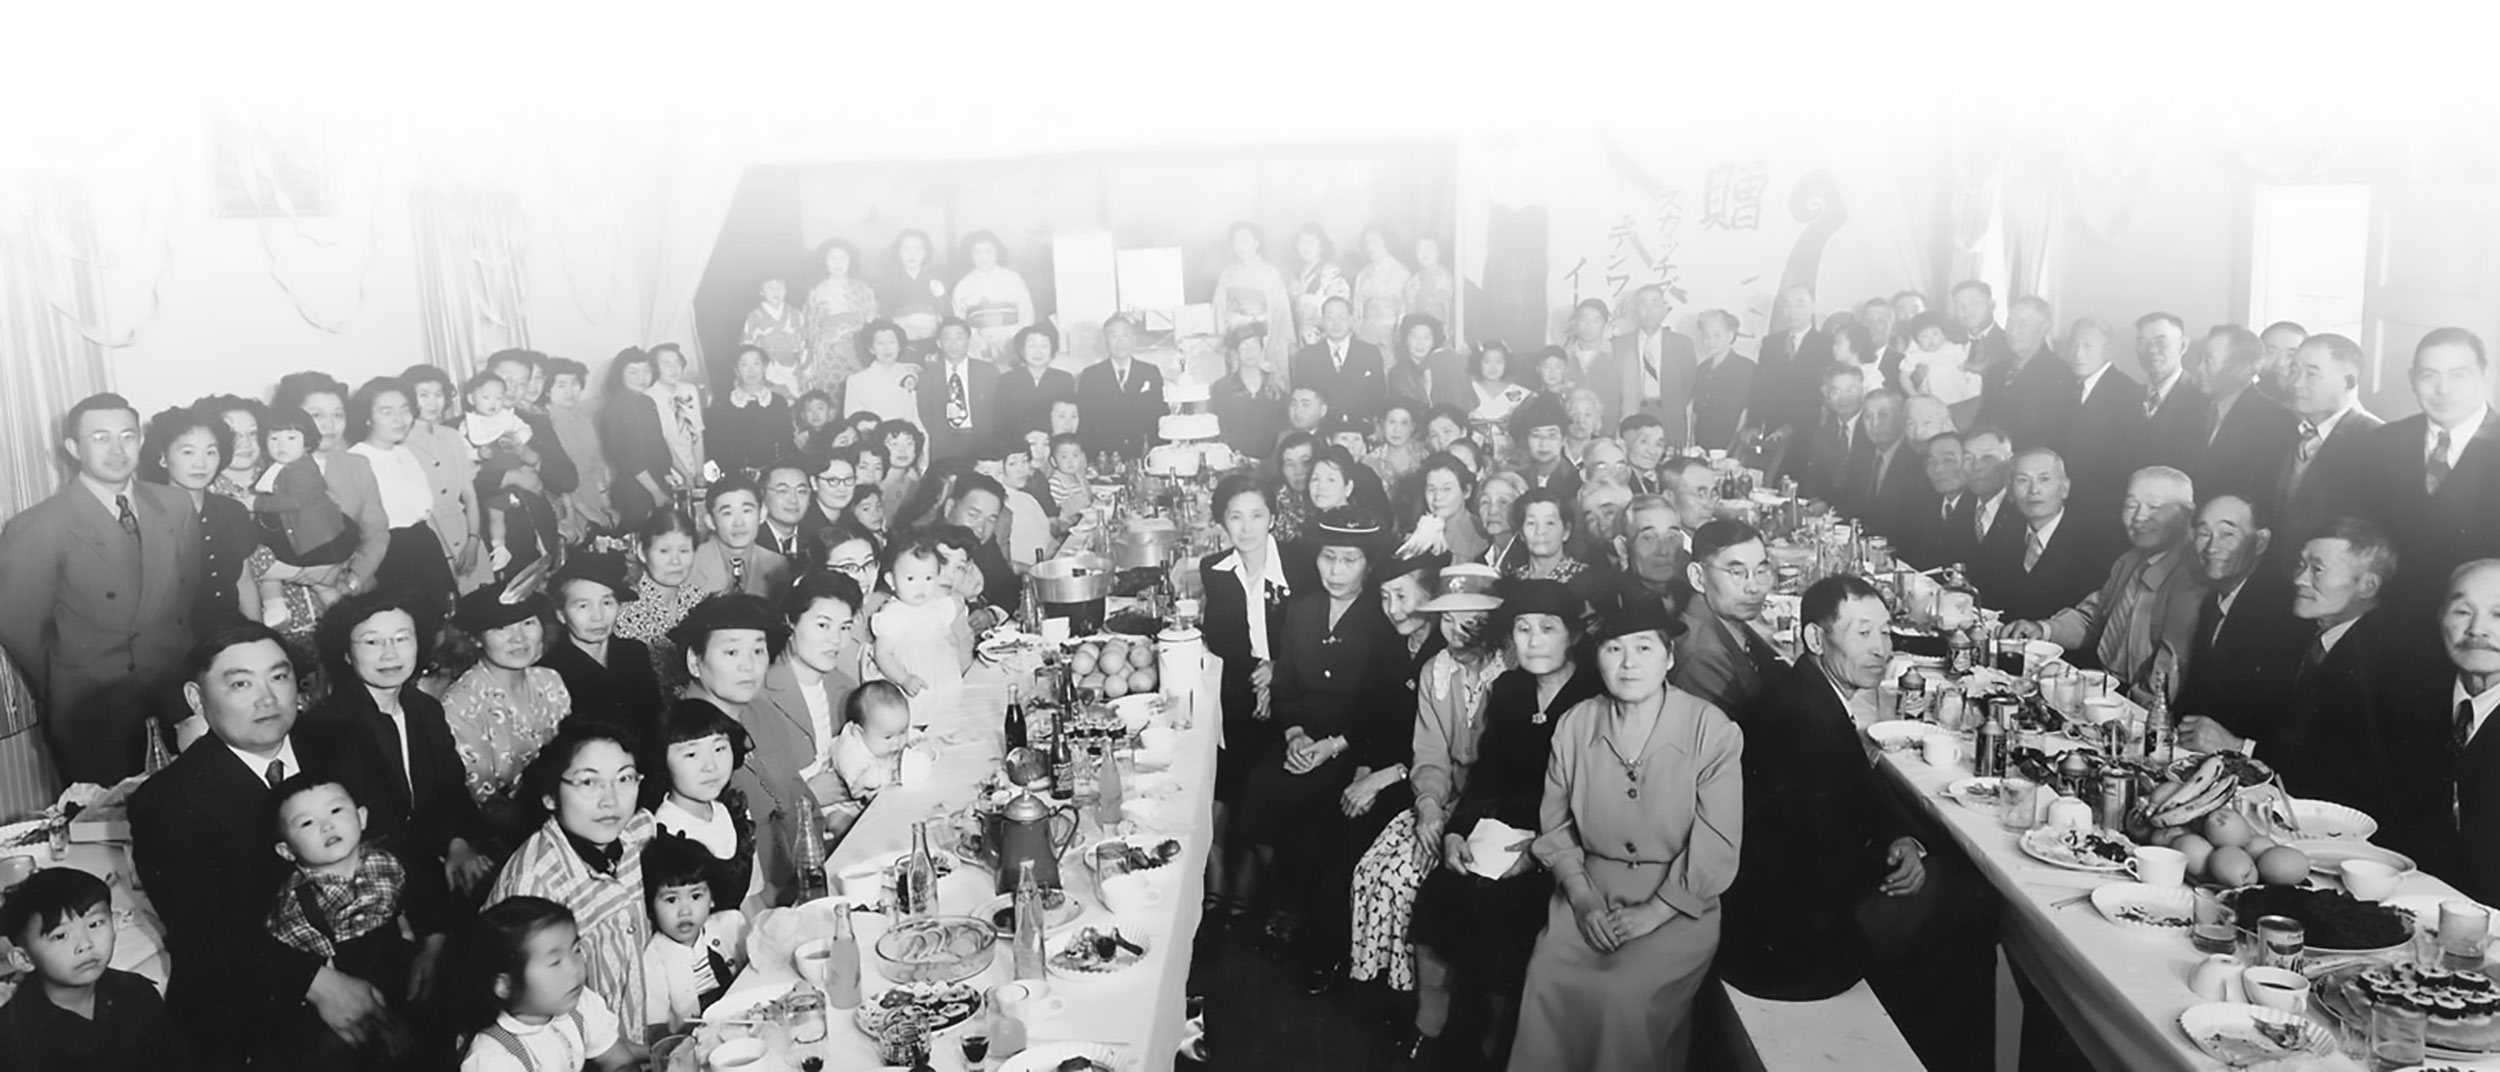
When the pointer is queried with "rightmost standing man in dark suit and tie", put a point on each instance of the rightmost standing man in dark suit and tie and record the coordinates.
(2434, 479)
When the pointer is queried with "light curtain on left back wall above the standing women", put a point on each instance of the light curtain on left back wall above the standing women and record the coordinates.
(471, 276)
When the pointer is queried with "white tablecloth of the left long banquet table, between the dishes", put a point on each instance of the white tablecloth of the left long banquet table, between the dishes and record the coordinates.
(1136, 1011)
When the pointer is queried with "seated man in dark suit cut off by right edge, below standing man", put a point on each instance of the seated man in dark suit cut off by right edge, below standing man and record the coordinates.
(2471, 631)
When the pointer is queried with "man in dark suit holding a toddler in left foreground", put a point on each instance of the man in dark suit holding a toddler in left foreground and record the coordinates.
(201, 833)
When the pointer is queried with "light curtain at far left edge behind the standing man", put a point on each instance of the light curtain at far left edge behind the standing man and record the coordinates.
(51, 339)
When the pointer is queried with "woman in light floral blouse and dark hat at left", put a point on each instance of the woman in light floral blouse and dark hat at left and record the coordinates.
(504, 706)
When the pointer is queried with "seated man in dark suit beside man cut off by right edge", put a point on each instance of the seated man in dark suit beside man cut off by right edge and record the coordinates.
(2339, 736)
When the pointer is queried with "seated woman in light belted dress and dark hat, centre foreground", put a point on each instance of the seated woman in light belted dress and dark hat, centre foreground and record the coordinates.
(1641, 823)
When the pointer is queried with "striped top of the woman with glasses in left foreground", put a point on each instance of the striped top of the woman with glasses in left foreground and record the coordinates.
(606, 908)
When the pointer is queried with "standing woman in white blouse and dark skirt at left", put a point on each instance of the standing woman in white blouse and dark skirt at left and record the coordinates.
(416, 566)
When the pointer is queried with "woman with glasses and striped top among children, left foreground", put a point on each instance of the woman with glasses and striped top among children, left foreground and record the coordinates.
(589, 856)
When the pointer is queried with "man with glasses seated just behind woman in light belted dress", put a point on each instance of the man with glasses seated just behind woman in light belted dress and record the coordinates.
(1724, 656)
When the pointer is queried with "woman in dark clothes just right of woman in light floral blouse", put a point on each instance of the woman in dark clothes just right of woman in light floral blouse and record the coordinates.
(606, 673)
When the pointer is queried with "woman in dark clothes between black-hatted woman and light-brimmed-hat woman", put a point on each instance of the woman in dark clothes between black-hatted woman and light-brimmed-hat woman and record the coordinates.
(1384, 753)
